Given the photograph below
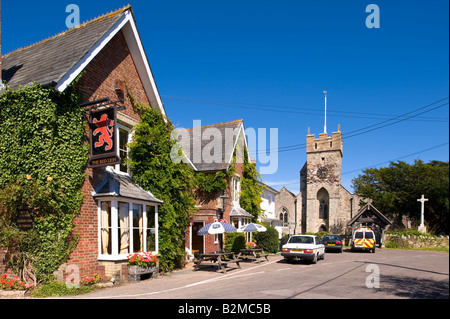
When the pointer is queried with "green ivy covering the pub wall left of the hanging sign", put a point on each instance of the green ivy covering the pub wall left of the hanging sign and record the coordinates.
(43, 156)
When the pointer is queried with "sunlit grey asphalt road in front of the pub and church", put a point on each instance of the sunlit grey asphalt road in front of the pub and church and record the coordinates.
(387, 274)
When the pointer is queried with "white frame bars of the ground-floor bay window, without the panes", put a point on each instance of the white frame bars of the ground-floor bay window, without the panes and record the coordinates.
(115, 256)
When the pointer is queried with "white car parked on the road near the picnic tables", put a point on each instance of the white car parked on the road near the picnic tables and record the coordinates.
(303, 247)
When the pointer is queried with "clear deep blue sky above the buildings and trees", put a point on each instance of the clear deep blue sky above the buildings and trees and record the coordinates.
(269, 62)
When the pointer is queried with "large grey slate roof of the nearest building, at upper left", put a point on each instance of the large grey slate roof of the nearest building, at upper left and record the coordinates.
(46, 62)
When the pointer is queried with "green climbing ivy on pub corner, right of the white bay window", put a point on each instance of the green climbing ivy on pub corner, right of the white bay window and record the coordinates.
(170, 182)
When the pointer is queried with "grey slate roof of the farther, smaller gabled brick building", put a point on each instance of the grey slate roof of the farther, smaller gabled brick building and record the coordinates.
(195, 138)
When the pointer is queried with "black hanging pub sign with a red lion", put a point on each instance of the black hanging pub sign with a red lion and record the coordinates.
(104, 150)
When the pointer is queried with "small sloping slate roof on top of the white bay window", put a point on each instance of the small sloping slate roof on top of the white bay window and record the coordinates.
(121, 185)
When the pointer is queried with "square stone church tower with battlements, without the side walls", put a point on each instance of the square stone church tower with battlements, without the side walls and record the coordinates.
(320, 180)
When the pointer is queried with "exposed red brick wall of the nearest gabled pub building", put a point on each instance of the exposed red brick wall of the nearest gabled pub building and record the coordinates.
(113, 63)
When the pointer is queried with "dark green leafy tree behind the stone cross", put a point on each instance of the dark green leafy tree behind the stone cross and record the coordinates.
(396, 188)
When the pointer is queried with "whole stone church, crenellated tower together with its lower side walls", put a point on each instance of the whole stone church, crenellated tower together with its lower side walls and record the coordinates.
(323, 204)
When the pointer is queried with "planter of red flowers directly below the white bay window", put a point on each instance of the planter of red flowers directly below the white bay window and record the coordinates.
(140, 264)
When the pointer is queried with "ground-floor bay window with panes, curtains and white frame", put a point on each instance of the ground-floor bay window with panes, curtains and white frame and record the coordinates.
(125, 228)
